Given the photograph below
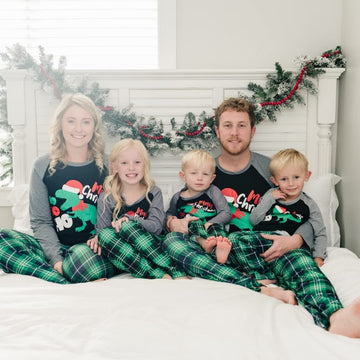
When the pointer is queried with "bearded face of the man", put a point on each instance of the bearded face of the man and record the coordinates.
(235, 132)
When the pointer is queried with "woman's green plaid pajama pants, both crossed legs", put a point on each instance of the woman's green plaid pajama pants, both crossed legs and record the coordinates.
(22, 254)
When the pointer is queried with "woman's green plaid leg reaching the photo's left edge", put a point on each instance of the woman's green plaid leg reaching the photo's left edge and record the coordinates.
(22, 254)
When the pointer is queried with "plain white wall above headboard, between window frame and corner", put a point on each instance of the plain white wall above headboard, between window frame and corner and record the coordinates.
(254, 33)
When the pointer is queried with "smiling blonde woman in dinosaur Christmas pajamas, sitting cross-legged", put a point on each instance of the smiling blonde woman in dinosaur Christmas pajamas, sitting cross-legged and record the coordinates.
(64, 188)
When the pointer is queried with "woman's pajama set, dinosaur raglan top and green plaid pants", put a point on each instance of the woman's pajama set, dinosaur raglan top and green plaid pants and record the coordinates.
(62, 217)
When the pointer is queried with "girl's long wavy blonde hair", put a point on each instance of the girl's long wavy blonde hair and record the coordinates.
(113, 185)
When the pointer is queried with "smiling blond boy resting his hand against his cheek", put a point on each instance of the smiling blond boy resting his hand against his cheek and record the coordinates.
(282, 210)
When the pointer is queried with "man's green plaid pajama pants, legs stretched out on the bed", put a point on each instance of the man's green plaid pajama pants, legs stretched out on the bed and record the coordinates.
(296, 271)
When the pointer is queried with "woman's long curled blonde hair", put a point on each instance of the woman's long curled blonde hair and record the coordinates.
(57, 142)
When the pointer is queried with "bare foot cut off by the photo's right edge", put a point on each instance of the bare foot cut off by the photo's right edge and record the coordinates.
(346, 321)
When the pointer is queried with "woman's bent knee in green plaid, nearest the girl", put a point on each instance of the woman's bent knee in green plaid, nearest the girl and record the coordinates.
(82, 265)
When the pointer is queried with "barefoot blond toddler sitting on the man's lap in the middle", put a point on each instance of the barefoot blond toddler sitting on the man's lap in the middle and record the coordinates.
(203, 204)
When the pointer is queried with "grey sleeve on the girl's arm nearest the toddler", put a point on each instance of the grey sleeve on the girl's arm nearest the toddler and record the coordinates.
(154, 223)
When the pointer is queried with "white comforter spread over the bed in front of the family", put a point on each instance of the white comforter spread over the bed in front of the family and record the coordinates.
(127, 318)
